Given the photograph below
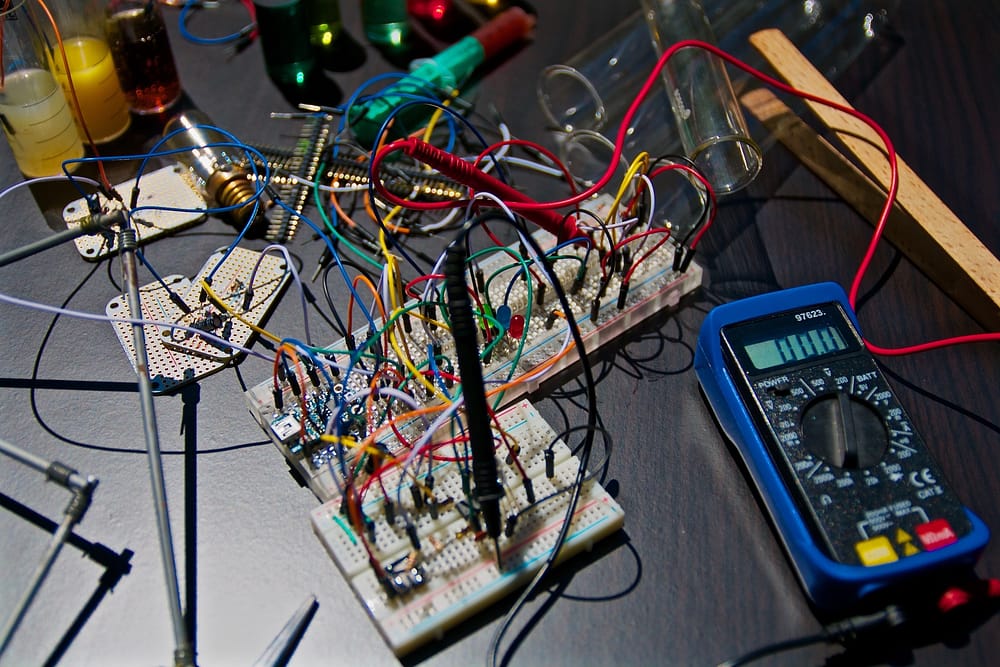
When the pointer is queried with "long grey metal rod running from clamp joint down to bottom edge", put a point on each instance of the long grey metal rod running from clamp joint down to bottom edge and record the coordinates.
(182, 646)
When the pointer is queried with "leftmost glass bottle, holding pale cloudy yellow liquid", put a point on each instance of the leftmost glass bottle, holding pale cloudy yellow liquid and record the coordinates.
(33, 111)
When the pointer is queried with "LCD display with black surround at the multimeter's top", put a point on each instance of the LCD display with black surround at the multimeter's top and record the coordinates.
(789, 338)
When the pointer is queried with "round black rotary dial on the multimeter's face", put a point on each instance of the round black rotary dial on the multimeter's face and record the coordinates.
(844, 431)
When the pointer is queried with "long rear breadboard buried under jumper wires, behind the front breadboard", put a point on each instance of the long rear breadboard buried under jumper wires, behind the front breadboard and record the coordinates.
(654, 287)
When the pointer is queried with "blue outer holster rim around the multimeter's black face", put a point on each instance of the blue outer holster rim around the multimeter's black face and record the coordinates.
(831, 585)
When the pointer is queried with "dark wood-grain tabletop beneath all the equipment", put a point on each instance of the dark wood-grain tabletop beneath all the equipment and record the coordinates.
(696, 575)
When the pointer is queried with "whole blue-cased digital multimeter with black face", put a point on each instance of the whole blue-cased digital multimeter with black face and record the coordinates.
(857, 499)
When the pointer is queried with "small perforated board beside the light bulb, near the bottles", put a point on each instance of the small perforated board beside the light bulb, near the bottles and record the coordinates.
(170, 187)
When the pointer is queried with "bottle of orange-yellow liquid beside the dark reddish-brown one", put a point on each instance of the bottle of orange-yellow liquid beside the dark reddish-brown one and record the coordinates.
(102, 104)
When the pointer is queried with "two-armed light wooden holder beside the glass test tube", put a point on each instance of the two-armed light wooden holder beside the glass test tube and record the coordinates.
(921, 225)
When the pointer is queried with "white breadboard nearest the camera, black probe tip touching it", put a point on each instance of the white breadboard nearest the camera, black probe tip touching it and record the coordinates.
(455, 572)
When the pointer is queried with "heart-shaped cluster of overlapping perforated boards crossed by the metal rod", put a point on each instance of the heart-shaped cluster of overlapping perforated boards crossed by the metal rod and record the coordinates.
(179, 356)
